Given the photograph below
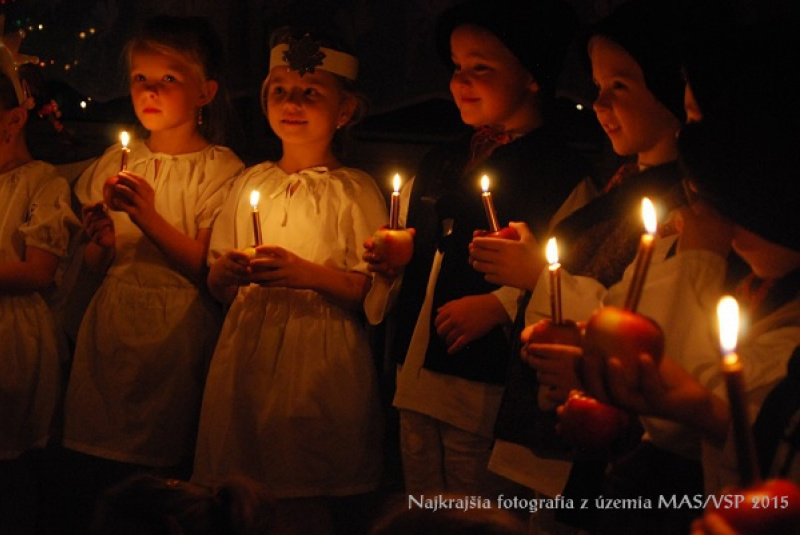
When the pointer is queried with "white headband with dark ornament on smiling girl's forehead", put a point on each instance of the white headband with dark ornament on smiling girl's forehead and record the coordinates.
(304, 55)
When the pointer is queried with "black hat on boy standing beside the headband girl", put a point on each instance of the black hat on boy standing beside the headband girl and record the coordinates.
(537, 32)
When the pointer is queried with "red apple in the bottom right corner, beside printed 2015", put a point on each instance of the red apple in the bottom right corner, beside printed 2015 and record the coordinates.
(768, 508)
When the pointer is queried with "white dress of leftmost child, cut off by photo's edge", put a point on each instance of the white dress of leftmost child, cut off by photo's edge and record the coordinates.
(34, 212)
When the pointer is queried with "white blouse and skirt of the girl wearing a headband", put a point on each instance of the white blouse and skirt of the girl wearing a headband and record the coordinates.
(291, 398)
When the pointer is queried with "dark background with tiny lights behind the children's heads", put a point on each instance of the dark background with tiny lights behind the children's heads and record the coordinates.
(78, 43)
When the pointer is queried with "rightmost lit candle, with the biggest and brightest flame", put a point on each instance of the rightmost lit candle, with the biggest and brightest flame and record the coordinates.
(728, 317)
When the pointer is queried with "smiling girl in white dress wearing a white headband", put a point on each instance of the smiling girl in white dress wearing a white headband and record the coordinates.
(291, 398)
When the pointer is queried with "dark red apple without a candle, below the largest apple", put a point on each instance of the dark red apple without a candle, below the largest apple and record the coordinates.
(586, 423)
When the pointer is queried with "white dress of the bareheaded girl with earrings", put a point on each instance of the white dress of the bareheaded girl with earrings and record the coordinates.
(146, 339)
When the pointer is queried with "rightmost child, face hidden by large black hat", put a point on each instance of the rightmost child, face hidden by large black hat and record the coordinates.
(740, 141)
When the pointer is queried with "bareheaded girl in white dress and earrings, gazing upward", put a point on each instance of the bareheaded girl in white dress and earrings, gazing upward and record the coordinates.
(145, 342)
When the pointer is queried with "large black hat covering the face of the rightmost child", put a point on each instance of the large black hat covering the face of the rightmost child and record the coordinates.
(744, 155)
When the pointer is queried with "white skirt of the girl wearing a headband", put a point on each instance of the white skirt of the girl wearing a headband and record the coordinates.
(291, 398)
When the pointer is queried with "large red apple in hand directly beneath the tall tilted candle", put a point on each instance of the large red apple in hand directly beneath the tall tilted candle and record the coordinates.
(616, 332)
